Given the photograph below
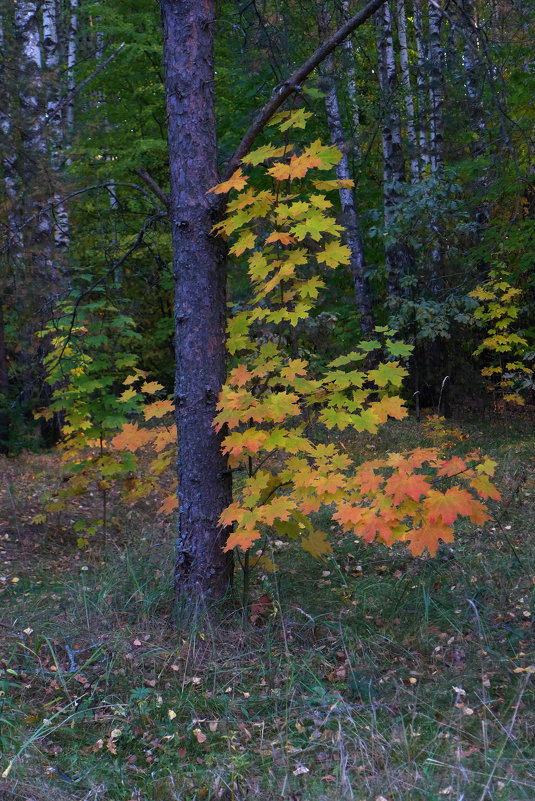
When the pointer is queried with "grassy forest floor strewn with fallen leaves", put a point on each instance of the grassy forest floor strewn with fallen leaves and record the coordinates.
(368, 676)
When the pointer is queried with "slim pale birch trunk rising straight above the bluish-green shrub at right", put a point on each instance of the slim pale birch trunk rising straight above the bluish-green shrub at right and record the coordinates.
(436, 98)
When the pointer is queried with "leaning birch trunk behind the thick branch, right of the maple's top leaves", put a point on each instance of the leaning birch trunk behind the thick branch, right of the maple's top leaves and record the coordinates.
(350, 218)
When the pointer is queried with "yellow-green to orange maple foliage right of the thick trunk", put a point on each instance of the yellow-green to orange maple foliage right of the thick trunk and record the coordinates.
(271, 402)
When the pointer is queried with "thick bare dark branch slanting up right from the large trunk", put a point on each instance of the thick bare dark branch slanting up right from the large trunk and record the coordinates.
(294, 82)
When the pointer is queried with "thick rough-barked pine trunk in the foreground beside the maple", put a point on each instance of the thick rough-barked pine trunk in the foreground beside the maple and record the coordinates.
(202, 570)
